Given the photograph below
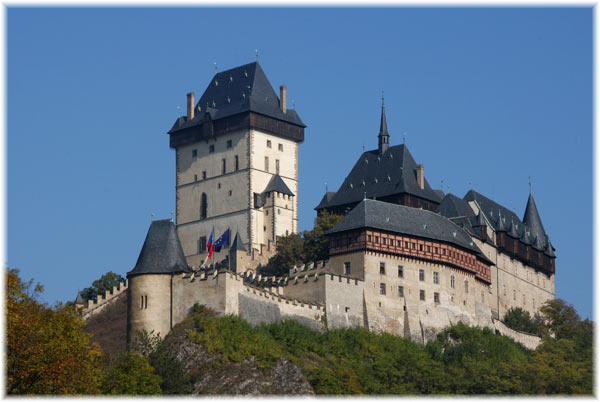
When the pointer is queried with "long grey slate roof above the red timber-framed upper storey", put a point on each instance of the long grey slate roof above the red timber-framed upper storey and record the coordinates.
(406, 220)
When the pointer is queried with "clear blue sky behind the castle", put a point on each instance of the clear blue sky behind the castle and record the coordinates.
(485, 95)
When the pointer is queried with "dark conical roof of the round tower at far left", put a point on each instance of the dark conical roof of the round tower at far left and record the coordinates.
(162, 252)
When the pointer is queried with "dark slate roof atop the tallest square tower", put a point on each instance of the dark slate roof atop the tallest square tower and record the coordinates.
(242, 89)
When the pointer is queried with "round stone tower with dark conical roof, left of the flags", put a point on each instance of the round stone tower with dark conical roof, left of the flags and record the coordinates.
(150, 293)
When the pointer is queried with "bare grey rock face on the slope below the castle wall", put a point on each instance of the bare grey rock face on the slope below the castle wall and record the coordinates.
(212, 377)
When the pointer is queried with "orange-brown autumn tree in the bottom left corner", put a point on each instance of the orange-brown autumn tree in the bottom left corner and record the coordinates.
(47, 351)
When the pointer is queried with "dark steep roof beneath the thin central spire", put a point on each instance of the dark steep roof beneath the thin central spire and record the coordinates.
(394, 172)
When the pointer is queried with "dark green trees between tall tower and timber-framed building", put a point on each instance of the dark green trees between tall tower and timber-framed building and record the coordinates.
(294, 249)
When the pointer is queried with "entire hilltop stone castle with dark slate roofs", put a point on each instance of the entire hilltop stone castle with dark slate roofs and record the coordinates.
(405, 258)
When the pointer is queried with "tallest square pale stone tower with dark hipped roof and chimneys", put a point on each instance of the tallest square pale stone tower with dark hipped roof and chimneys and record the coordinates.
(236, 164)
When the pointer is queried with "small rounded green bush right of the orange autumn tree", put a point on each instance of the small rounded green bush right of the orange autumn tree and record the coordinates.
(132, 375)
